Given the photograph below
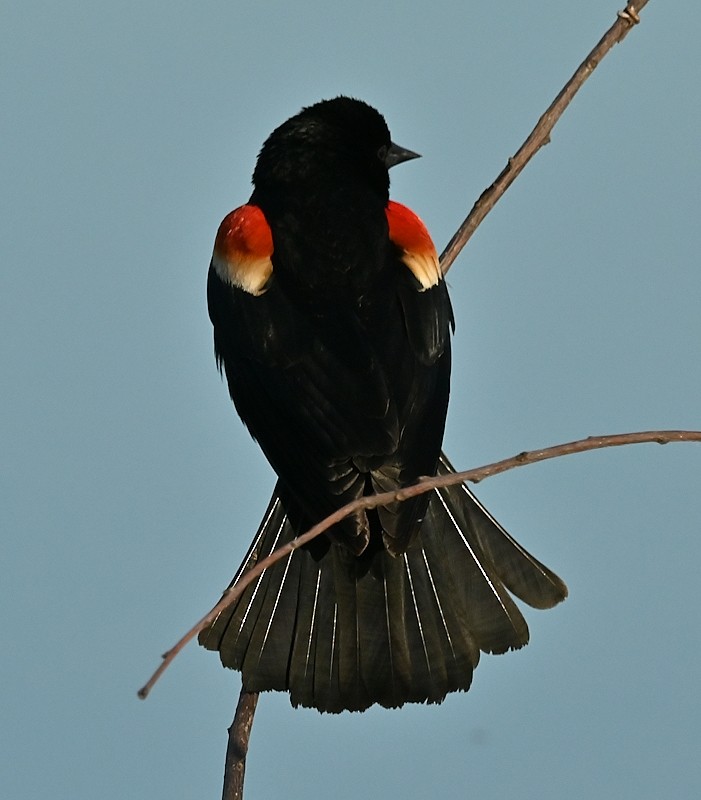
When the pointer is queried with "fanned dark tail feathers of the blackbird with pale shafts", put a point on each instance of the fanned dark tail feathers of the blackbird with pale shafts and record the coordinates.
(403, 629)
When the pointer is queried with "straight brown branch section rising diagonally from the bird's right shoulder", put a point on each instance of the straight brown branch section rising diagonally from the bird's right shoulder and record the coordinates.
(540, 135)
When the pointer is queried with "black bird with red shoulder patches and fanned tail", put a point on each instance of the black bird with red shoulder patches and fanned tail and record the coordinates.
(332, 323)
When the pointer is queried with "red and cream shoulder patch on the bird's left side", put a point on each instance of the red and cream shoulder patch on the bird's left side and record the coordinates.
(243, 250)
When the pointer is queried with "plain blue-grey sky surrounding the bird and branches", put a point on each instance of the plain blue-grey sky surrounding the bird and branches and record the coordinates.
(130, 490)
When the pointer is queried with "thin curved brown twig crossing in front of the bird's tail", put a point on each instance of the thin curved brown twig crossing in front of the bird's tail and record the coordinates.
(425, 485)
